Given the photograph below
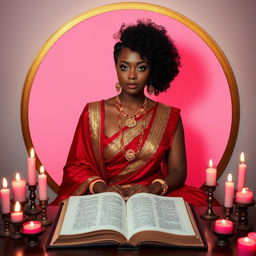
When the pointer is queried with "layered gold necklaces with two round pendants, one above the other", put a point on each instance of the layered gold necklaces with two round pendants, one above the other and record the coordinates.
(131, 122)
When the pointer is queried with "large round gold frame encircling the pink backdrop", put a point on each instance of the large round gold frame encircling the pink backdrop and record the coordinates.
(135, 6)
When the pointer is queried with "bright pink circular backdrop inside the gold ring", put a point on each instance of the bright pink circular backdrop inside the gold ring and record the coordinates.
(79, 68)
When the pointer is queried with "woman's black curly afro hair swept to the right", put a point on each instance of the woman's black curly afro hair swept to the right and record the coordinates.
(151, 42)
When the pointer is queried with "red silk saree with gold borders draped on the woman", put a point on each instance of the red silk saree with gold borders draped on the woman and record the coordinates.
(92, 154)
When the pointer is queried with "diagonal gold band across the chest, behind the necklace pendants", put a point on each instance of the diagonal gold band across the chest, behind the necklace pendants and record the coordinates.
(113, 148)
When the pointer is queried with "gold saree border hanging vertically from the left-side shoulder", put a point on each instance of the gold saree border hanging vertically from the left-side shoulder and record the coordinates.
(95, 126)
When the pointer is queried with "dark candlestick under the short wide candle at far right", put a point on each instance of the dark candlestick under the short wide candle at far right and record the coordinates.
(243, 220)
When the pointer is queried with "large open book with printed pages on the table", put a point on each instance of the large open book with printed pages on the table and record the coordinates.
(144, 218)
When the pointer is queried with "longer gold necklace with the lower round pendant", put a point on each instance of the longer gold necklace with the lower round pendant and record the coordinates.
(131, 154)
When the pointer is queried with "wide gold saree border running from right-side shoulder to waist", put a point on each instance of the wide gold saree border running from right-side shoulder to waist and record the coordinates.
(150, 146)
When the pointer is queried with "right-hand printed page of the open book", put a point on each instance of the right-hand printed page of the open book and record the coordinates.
(151, 212)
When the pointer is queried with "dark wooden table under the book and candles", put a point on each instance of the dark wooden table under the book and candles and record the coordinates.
(9, 247)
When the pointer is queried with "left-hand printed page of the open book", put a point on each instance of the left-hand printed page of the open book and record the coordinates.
(104, 211)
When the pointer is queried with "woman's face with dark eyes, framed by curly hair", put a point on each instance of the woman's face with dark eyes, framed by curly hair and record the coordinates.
(132, 71)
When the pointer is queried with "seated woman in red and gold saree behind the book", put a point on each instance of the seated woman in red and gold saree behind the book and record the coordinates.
(129, 143)
